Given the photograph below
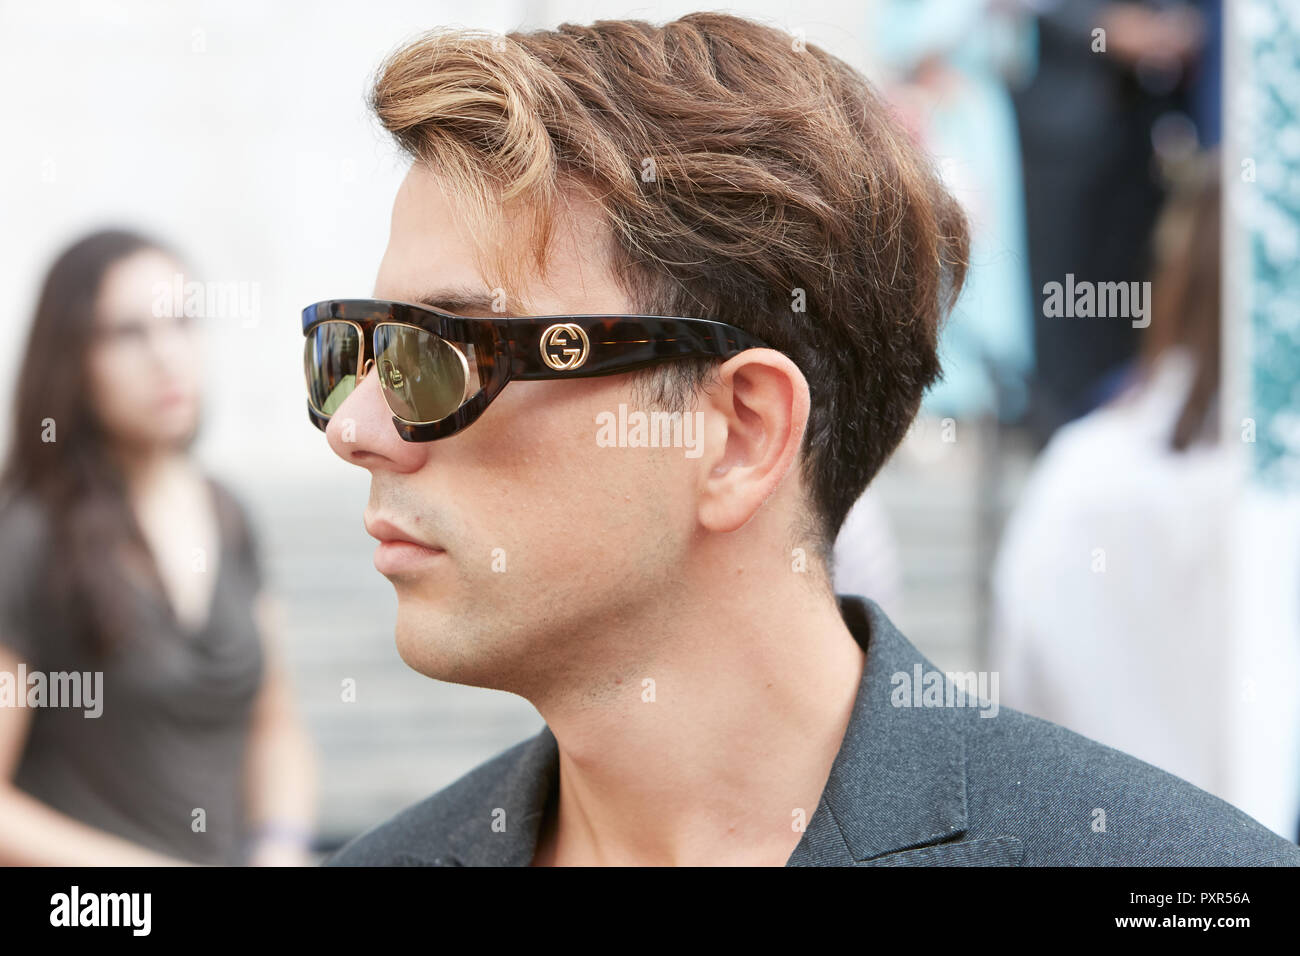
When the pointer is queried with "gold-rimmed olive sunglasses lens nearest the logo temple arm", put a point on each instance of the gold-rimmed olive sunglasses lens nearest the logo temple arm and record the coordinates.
(423, 377)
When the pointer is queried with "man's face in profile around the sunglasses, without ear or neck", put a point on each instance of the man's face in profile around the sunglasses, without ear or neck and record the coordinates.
(534, 535)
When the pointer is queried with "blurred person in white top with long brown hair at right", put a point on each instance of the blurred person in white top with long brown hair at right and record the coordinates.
(1111, 596)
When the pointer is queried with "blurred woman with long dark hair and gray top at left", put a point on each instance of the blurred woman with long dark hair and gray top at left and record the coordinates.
(122, 557)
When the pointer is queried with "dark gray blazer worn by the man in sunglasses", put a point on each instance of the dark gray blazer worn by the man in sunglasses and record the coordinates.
(921, 780)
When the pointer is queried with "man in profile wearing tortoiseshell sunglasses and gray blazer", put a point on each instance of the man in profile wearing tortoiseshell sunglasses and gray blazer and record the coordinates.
(625, 516)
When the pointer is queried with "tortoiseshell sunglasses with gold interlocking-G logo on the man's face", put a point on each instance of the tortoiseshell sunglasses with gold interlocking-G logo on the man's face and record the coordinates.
(439, 373)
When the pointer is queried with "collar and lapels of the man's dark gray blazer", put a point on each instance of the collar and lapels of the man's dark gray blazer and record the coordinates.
(899, 781)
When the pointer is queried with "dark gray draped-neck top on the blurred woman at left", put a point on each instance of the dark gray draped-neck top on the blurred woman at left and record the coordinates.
(153, 749)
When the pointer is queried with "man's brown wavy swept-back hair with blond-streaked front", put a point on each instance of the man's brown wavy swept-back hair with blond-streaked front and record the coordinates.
(746, 178)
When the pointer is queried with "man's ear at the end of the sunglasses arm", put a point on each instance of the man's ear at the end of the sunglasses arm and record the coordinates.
(759, 413)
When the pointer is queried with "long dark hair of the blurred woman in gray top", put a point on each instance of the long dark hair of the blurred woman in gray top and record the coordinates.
(97, 546)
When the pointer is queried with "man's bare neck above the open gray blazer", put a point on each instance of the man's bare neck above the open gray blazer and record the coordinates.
(718, 755)
